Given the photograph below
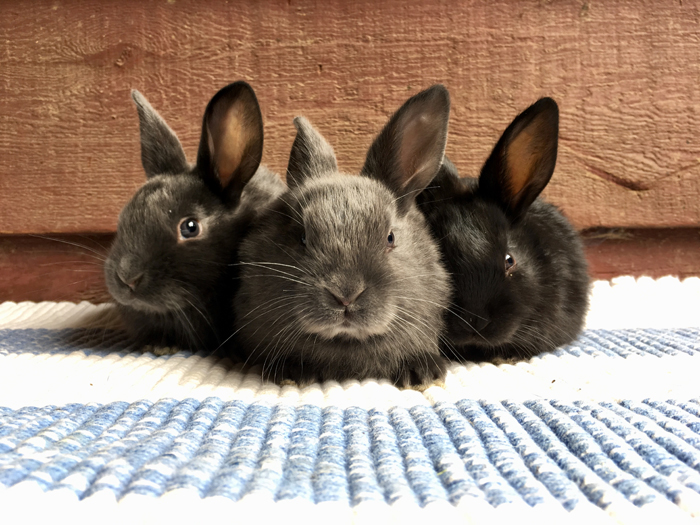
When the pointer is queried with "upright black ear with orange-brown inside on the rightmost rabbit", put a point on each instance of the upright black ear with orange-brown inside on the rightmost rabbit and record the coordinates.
(522, 162)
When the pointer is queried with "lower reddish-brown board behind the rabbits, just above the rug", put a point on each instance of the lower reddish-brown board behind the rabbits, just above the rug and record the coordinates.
(69, 267)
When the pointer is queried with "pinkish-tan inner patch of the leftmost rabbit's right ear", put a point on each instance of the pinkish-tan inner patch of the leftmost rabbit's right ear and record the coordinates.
(228, 138)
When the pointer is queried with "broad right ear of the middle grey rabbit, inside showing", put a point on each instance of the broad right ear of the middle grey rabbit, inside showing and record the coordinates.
(408, 152)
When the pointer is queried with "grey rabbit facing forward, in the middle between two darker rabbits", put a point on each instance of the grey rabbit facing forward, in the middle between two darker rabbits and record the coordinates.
(342, 278)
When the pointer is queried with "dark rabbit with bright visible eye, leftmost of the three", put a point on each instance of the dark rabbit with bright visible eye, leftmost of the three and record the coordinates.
(169, 269)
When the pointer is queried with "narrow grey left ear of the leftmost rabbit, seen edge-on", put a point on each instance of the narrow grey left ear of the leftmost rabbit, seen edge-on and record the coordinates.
(161, 152)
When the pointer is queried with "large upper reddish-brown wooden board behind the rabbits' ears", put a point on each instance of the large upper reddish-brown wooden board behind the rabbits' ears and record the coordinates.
(624, 73)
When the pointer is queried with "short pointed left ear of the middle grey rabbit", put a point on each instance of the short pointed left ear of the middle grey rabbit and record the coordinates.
(311, 155)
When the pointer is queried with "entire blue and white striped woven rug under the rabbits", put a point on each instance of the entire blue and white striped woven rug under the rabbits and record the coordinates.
(606, 430)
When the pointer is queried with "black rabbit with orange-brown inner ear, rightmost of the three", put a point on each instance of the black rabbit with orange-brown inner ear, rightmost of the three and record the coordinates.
(518, 266)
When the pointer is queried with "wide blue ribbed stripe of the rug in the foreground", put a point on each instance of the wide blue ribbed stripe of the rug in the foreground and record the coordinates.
(470, 449)
